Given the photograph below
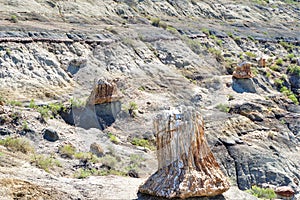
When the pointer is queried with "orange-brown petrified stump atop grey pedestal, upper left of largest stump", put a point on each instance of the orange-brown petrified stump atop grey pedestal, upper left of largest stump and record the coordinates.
(105, 91)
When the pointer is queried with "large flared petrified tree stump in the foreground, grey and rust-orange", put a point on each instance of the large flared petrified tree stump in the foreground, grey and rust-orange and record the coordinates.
(186, 166)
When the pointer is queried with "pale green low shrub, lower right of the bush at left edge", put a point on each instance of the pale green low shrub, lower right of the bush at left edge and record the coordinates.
(45, 162)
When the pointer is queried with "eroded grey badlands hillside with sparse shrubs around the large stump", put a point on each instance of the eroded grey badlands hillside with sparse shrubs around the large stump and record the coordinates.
(58, 142)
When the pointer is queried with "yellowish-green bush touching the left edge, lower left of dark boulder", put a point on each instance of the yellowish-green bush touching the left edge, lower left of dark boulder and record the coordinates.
(17, 144)
